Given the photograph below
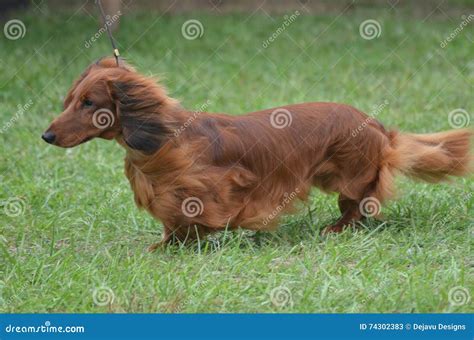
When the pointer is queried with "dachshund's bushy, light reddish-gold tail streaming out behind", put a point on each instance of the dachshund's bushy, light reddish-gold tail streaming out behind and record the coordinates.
(431, 157)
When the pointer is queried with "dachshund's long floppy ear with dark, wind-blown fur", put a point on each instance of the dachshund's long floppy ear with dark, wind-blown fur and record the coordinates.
(138, 112)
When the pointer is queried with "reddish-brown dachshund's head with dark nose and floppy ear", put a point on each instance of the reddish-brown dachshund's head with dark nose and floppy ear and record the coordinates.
(110, 101)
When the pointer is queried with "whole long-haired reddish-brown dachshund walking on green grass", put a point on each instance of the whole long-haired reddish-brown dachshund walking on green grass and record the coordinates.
(199, 172)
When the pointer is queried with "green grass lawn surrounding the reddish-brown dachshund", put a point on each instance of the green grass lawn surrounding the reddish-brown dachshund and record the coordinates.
(77, 242)
